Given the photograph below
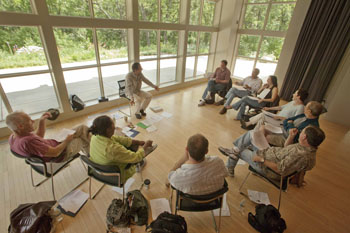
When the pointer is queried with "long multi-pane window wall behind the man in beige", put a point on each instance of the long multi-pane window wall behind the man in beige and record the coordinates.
(83, 47)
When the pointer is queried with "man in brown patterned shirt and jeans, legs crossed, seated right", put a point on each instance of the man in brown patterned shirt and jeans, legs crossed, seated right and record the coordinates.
(293, 157)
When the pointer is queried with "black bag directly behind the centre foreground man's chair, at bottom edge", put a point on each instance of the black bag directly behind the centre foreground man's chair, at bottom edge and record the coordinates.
(168, 223)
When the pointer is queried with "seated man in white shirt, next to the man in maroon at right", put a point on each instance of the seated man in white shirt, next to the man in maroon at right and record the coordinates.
(251, 84)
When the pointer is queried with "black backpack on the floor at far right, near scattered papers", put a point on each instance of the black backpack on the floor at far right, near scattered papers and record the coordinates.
(267, 219)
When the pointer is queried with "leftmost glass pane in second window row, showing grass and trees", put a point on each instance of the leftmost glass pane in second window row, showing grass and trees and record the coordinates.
(21, 50)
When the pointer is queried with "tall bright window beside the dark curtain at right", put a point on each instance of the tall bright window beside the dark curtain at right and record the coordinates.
(261, 35)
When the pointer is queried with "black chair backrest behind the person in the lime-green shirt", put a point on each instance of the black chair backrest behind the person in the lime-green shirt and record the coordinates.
(108, 174)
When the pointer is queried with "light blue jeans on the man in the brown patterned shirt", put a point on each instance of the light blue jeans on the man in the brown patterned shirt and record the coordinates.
(243, 142)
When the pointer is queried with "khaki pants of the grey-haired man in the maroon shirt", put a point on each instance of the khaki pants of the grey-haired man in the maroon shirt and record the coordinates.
(80, 142)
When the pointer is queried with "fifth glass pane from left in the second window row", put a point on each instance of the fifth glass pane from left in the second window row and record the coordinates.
(168, 43)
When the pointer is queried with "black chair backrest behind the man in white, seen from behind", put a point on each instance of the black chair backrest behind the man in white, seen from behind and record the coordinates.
(188, 202)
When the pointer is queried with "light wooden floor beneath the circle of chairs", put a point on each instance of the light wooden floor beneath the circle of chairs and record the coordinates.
(323, 205)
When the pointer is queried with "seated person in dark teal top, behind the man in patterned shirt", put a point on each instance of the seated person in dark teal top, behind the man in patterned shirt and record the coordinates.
(310, 117)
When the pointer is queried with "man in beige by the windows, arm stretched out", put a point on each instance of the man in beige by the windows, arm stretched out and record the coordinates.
(133, 85)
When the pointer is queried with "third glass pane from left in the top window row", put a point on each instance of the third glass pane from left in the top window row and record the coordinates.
(110, 9)
